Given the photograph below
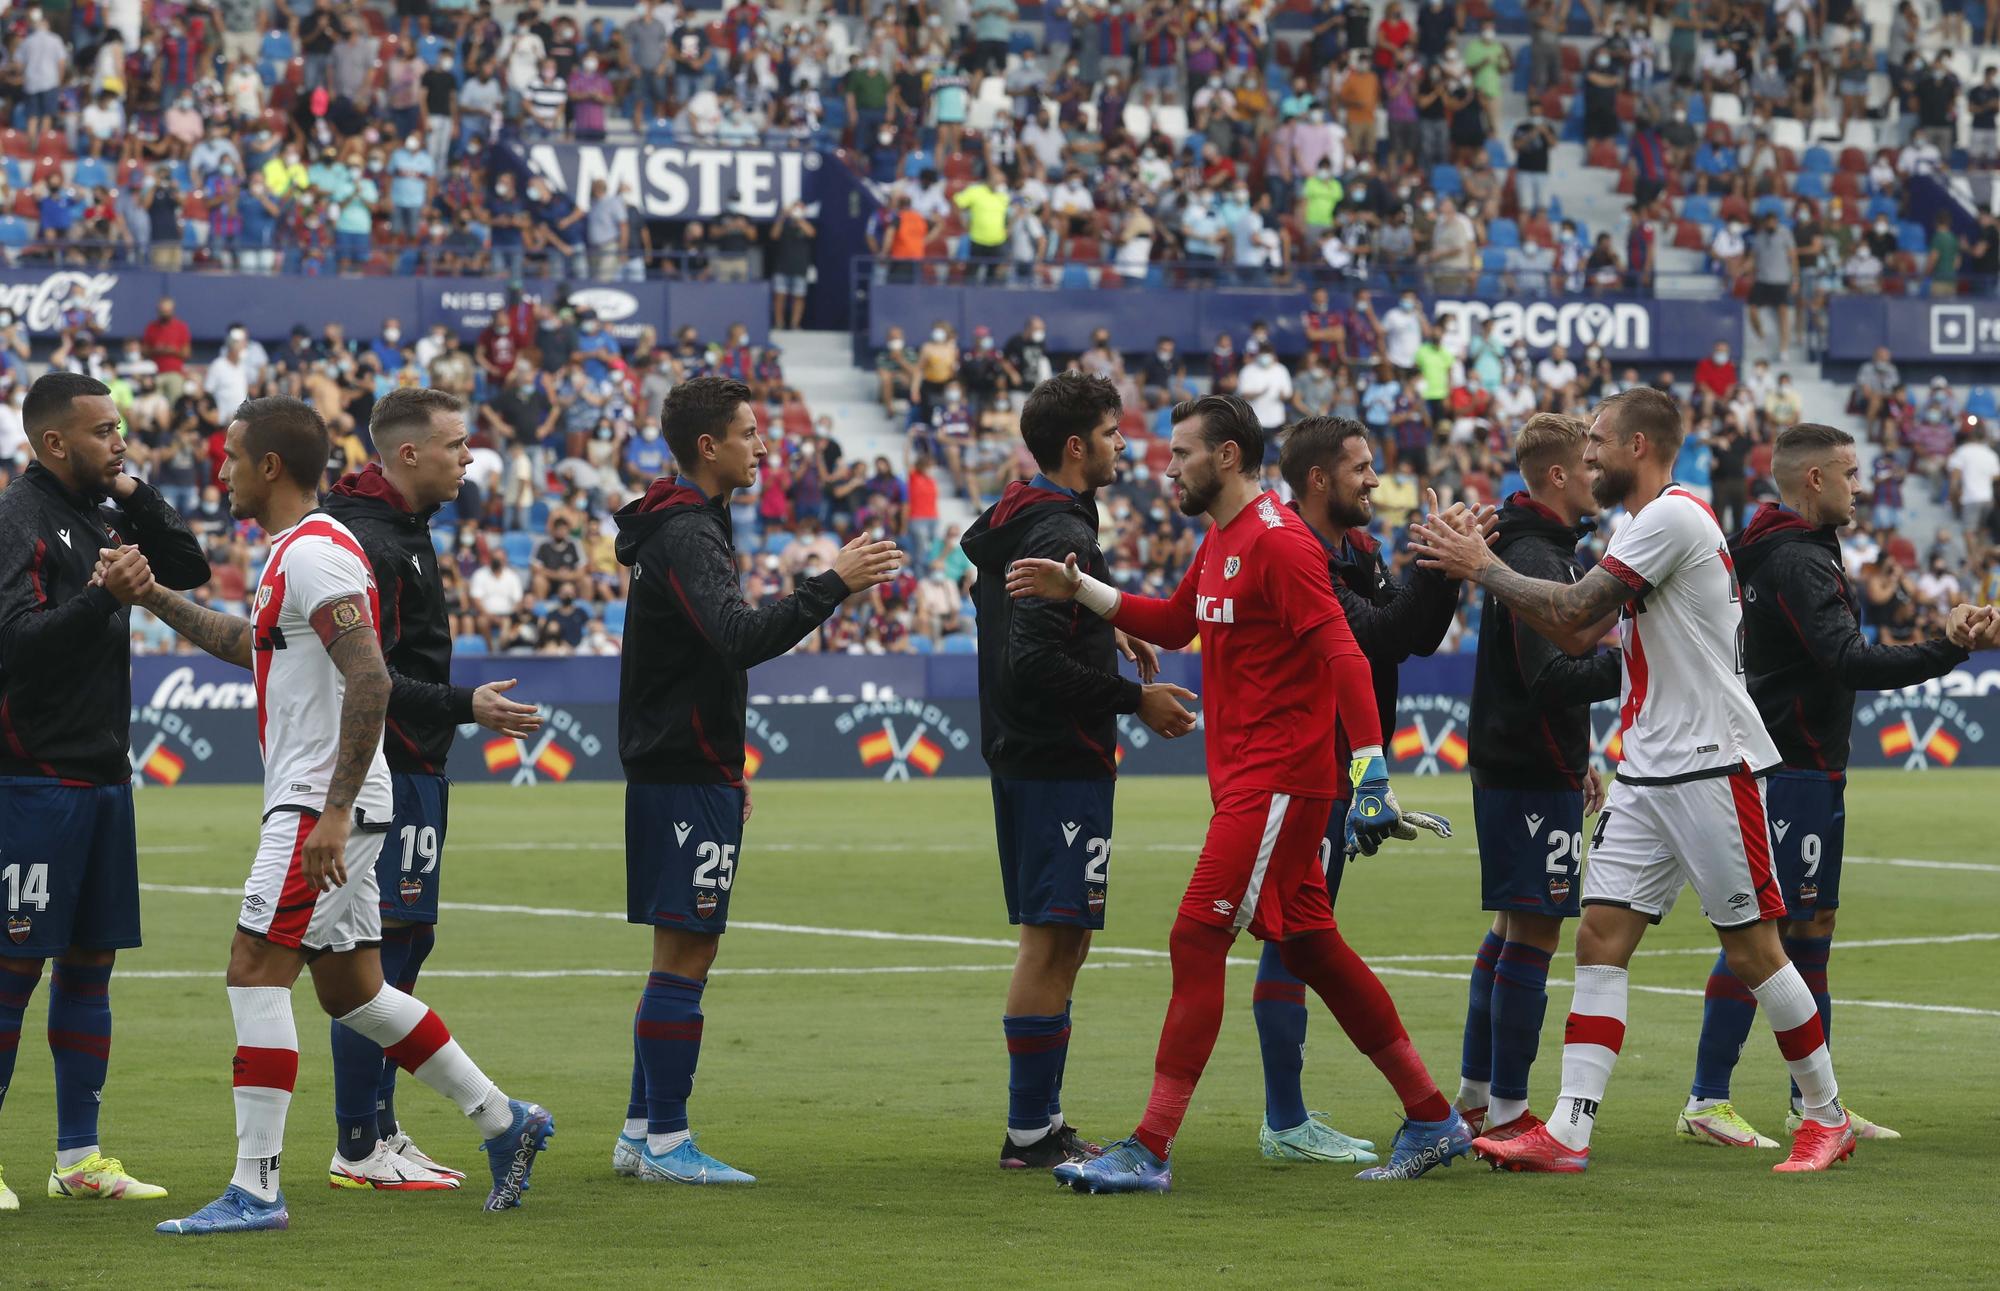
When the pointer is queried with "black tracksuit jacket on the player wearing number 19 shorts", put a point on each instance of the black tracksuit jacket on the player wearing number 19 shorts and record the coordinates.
(425, 708)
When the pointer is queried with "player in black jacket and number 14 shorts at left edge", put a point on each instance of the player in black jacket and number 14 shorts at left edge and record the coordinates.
(69, 856)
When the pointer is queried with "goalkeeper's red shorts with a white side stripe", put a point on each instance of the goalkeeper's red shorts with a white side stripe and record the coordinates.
(1263, 866)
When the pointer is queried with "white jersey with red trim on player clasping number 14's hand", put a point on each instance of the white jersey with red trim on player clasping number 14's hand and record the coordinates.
(299, 690)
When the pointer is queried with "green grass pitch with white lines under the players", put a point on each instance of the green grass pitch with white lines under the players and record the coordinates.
(865, 1078)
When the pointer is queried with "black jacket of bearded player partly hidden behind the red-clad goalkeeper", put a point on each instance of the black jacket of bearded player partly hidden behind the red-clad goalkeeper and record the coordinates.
(1391, 623)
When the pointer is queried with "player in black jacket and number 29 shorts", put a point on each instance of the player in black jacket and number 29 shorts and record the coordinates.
(1531, 778)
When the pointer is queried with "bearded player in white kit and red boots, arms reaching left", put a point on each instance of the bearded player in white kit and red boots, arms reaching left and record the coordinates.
(1689, 804)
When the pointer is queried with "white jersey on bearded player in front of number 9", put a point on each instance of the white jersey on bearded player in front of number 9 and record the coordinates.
(1683, 706)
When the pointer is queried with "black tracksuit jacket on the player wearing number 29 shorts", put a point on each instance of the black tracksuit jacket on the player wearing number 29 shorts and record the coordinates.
(1531, 702)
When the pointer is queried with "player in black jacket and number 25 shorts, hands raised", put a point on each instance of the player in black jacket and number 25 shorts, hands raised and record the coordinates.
(691, 641)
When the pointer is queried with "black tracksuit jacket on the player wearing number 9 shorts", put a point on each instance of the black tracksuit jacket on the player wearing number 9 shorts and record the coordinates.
(1805, 654)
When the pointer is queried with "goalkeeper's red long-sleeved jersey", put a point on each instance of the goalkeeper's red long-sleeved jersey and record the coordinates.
(1279, 664)
